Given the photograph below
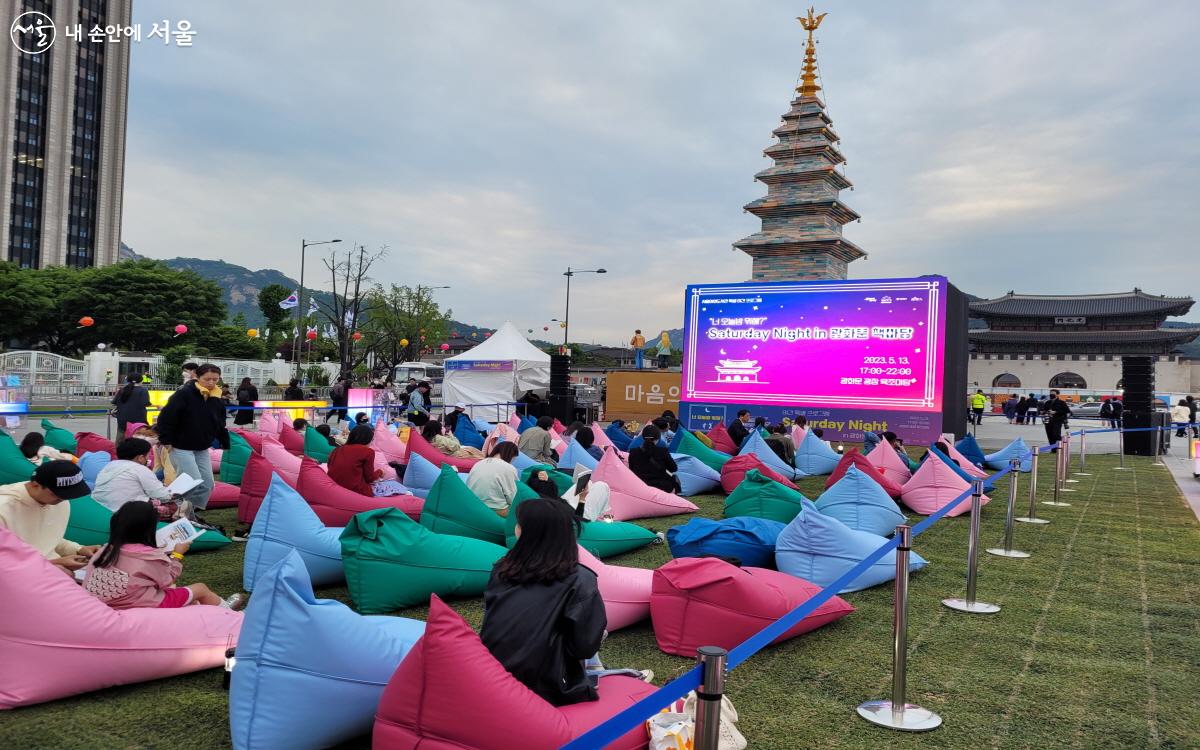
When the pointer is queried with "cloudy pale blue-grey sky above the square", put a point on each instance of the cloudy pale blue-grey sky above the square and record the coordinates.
(1046, 148)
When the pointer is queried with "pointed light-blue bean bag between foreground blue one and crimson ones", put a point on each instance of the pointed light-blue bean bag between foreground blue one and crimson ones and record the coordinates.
(286, 524)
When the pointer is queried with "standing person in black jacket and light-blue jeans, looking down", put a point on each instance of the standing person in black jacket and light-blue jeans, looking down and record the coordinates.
(193, 423)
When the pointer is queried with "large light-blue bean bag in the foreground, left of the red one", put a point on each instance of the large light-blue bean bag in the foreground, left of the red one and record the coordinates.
(310, 671)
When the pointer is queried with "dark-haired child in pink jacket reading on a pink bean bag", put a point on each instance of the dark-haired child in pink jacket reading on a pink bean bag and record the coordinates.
(131, 572)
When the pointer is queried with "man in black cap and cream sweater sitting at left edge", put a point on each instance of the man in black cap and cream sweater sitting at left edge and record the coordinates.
(37, 514)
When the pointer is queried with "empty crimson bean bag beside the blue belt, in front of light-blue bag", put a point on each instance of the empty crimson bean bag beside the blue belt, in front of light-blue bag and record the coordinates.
(707, 602)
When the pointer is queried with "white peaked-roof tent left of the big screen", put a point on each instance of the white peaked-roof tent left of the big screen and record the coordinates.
(500, 370)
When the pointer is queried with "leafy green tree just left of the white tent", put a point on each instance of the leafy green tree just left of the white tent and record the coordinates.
(399, 314)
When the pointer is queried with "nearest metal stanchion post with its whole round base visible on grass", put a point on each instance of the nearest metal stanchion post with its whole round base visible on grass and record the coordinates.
(898, 713)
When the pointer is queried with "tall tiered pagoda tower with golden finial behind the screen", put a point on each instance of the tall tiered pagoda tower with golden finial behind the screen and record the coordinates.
(802, 214)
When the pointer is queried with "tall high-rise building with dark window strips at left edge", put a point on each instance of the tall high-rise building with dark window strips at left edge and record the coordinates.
(63, 112)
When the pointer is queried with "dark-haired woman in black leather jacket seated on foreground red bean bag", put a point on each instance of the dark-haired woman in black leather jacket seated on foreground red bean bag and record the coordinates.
(544, 619)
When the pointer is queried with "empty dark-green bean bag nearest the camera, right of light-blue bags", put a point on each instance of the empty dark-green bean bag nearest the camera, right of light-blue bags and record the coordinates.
(393, 562)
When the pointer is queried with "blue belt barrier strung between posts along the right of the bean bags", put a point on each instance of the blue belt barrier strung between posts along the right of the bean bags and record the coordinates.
(628, 719)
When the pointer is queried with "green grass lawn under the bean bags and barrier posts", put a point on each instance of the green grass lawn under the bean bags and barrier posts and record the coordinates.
(1097, 645)
